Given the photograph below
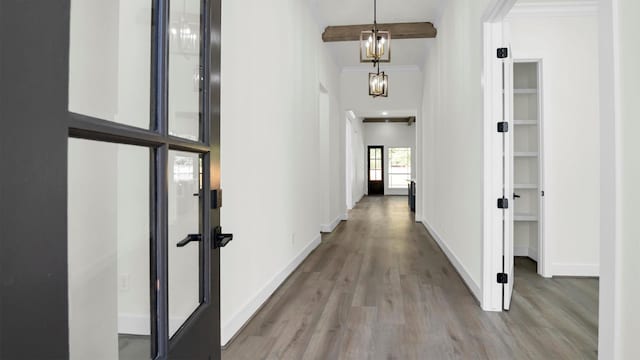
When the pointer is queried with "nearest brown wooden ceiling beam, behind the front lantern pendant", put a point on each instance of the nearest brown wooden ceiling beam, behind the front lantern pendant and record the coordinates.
(421, 30)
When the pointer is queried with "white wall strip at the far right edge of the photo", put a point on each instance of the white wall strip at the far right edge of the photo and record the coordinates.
(626, 58)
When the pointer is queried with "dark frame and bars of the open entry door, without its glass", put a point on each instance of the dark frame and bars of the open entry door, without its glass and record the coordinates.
(35, 126)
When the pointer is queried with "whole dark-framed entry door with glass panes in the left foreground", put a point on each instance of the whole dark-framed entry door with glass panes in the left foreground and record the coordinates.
(111, 126)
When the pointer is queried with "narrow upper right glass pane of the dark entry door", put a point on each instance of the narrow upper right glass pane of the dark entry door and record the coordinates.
(185, 83)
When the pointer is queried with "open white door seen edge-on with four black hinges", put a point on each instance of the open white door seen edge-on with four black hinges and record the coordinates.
(507, 201)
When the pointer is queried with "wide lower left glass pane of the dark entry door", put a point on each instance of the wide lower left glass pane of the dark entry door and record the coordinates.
(108, 251)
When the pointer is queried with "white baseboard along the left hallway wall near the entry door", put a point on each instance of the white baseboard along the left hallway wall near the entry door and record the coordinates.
(246, 312)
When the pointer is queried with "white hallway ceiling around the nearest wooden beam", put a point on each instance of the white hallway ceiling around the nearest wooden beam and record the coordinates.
(351, 12)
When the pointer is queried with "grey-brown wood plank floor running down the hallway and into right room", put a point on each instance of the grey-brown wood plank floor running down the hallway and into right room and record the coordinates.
(379, 287)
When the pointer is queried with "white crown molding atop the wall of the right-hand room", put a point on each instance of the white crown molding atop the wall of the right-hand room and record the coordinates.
(555, 8)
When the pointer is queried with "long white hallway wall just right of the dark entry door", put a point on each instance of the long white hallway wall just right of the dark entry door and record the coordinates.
(270, 149)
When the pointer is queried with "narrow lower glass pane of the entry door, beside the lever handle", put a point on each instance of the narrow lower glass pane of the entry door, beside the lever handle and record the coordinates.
(184, 219)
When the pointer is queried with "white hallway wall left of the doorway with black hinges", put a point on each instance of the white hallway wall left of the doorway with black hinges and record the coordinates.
(452, 136)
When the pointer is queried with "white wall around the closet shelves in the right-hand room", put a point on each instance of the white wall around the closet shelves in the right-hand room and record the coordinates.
(571, 126)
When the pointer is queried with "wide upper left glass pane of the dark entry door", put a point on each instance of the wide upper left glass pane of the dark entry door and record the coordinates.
(110, 60)
